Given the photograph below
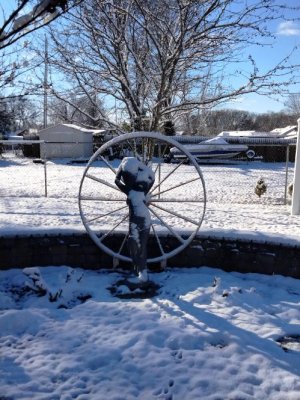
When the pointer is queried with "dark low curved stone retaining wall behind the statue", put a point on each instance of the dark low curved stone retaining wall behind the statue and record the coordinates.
(78, 250)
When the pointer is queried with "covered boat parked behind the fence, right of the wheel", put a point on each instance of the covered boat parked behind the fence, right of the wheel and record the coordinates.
(215, 148)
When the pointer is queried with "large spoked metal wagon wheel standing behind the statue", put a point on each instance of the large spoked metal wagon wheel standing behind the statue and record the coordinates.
(177, 199)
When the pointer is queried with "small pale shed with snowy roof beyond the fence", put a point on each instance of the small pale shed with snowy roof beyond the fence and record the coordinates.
(66, 141)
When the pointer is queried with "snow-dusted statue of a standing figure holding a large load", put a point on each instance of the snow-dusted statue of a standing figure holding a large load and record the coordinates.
(135, 179)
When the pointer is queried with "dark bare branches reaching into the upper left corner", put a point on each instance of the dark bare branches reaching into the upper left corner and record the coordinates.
(16, 21)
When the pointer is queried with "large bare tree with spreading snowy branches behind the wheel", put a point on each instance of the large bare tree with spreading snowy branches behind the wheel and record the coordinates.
(161, 59)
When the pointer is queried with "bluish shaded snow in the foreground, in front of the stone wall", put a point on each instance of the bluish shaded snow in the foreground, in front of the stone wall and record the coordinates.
(207, 335)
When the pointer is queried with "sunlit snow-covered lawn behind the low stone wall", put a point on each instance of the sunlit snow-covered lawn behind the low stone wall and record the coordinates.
(233, 208)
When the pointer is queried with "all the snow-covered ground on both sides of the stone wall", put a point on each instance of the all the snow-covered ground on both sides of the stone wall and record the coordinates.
(207, 335)
